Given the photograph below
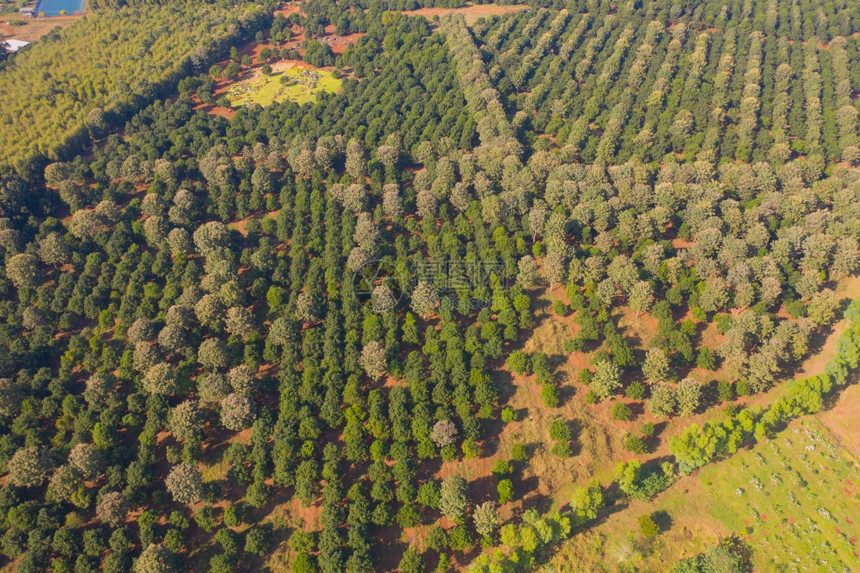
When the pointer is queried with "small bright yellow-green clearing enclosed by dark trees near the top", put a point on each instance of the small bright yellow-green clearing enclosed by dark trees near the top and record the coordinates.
(291, 82)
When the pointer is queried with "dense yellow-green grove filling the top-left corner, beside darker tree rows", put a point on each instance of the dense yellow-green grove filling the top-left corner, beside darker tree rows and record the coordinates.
(116, 60)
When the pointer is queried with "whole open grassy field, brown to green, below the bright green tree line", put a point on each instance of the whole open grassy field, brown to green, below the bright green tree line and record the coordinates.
(794, 500)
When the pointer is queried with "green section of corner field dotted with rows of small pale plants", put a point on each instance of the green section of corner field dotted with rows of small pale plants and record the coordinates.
(792, 498)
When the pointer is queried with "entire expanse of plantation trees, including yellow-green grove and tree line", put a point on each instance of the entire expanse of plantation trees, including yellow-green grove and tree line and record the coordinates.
(276, 340)
